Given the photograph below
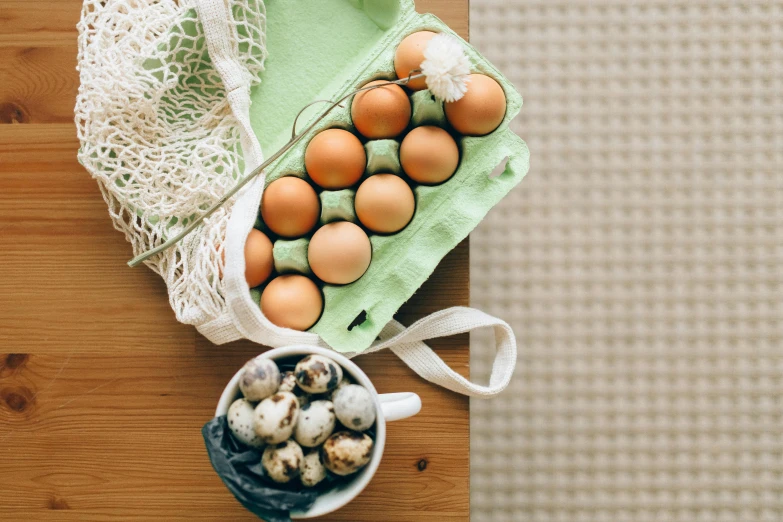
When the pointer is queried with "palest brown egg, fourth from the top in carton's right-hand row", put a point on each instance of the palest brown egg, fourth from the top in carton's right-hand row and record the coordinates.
(339, 253)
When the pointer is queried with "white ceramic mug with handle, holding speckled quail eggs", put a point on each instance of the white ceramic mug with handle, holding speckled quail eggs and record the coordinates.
(391, 407)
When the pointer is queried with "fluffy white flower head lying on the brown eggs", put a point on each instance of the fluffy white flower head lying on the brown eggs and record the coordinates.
(446, 68)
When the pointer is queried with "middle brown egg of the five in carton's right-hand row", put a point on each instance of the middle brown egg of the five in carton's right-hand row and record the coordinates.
(384, 203)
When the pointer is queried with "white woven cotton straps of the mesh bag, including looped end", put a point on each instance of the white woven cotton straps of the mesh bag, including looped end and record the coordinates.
(245, 319)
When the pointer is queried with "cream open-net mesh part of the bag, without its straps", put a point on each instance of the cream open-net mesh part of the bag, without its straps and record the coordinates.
(158, 134)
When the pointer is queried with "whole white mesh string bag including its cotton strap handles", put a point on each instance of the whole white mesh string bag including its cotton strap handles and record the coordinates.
(163, 120)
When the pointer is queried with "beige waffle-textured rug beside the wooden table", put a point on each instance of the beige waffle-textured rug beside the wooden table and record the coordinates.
(640, 263)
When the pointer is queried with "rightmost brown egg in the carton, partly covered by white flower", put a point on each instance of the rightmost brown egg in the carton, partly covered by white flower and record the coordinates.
(481, 110)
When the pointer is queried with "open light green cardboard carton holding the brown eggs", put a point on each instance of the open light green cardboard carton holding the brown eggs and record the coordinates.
(323, 50)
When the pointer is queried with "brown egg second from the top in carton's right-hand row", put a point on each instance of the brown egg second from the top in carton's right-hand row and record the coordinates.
(429, 155)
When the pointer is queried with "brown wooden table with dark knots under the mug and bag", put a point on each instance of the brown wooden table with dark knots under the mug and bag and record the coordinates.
(102, 392)
